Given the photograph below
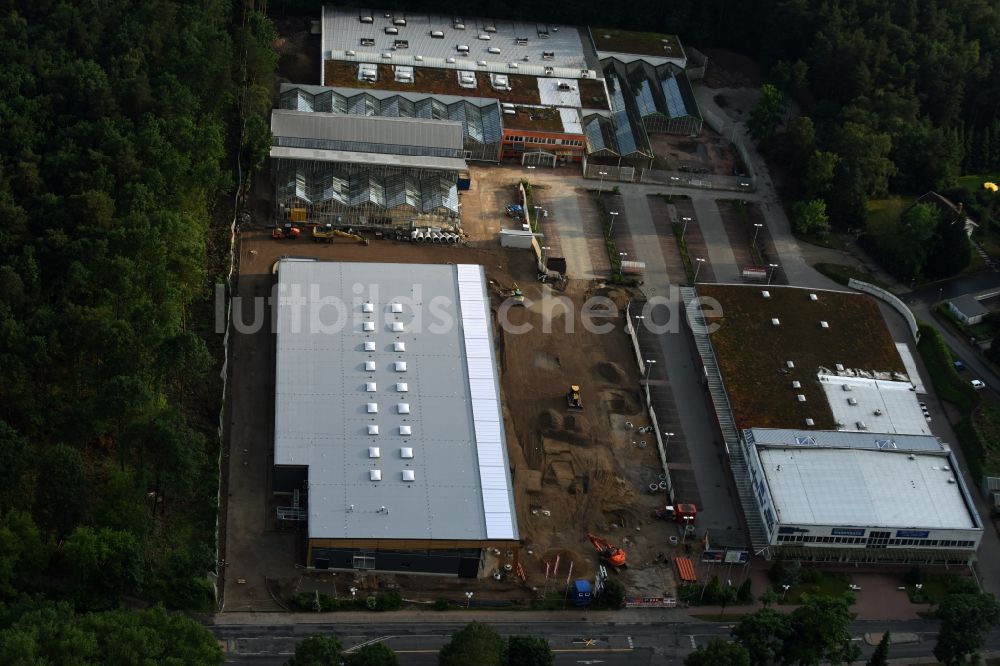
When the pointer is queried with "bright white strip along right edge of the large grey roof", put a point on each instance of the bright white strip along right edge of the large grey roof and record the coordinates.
(498, 500)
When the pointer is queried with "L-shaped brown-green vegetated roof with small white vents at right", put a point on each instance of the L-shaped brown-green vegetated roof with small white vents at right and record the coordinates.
(752, 352)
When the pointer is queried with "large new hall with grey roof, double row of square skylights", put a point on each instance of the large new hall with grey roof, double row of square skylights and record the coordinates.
(388, 418)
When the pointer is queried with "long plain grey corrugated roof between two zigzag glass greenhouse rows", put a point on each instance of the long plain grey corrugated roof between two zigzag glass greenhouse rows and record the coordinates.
(415, 132)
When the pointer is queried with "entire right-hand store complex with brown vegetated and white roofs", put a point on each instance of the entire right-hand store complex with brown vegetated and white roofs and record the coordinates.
(831, 451)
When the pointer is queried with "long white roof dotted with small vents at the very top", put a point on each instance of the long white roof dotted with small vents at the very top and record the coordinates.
(343, 32)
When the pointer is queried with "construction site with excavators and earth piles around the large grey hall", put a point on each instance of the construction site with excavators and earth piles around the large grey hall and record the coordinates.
(587, 479)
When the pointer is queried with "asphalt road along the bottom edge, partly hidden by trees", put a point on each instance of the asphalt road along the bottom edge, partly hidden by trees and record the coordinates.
(604, 643)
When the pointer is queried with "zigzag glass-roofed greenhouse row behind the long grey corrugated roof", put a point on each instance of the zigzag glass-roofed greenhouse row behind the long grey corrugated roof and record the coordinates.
(479, 116)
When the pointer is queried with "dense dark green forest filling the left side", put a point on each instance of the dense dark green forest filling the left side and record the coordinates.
(121, 124)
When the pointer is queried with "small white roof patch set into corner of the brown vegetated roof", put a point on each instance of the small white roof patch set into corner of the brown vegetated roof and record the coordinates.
(883, 406)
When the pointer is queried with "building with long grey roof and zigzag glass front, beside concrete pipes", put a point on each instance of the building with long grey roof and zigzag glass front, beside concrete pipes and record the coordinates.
(366, 171)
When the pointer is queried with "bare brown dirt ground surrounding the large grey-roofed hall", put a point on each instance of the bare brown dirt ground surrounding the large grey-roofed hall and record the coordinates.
(574, 472)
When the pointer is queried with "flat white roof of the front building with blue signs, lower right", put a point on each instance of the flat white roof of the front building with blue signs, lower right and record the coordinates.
(865, 488)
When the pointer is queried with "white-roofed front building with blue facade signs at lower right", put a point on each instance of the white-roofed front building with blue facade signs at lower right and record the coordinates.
(833, 496)
